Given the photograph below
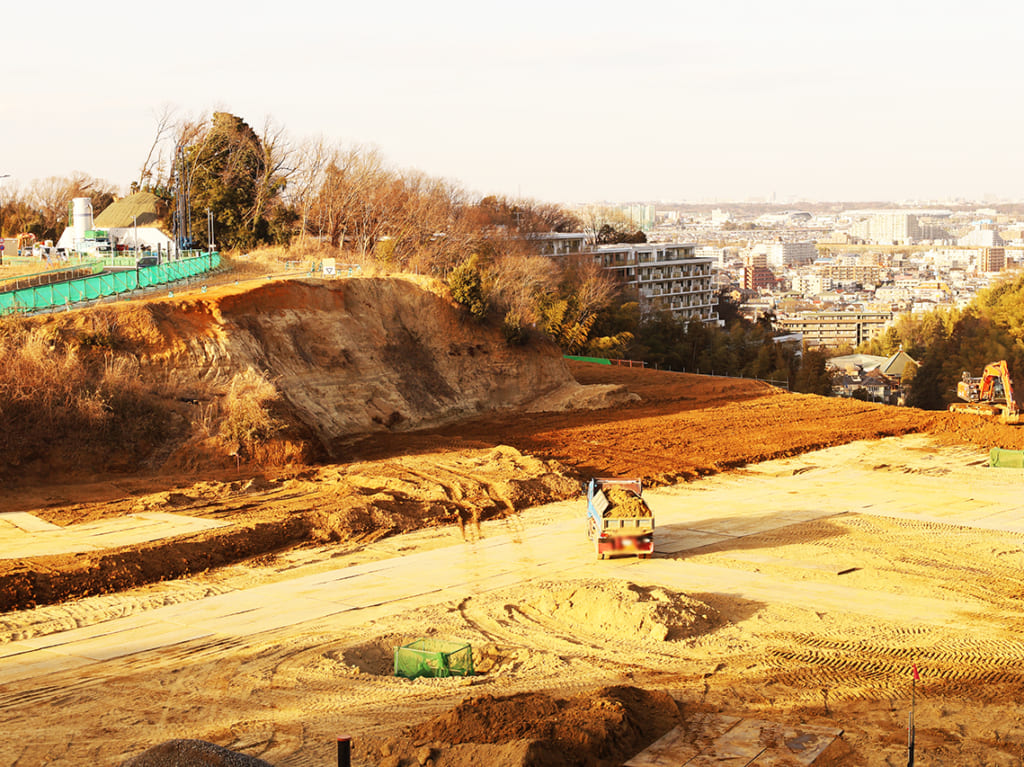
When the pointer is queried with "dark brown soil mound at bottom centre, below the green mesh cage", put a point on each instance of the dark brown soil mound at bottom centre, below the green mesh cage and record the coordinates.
(606, 728)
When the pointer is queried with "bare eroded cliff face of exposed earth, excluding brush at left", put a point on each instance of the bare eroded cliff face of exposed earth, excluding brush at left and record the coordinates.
(349, 357)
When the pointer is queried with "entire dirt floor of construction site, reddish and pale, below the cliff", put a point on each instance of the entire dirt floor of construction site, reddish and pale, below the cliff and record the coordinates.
(809, 552)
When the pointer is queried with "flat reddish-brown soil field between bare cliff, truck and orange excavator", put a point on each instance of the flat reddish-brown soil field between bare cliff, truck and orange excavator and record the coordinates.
(688, 427)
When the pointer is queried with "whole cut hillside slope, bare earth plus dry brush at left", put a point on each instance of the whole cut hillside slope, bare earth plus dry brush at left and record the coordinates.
(265, 372)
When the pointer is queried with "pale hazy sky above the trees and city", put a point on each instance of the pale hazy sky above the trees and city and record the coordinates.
(554, 101)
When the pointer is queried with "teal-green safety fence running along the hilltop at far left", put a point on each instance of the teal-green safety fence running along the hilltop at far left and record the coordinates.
(101, 286)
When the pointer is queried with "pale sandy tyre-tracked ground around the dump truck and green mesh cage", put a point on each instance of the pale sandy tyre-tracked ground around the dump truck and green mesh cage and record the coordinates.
(799, 590)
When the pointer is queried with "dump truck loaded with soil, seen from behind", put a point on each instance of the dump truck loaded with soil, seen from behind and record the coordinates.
(619, 521)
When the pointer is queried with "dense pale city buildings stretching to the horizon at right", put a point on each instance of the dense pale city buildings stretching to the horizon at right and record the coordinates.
(842, 278)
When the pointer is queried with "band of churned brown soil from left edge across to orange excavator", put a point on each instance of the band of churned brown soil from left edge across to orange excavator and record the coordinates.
(685, 427)
